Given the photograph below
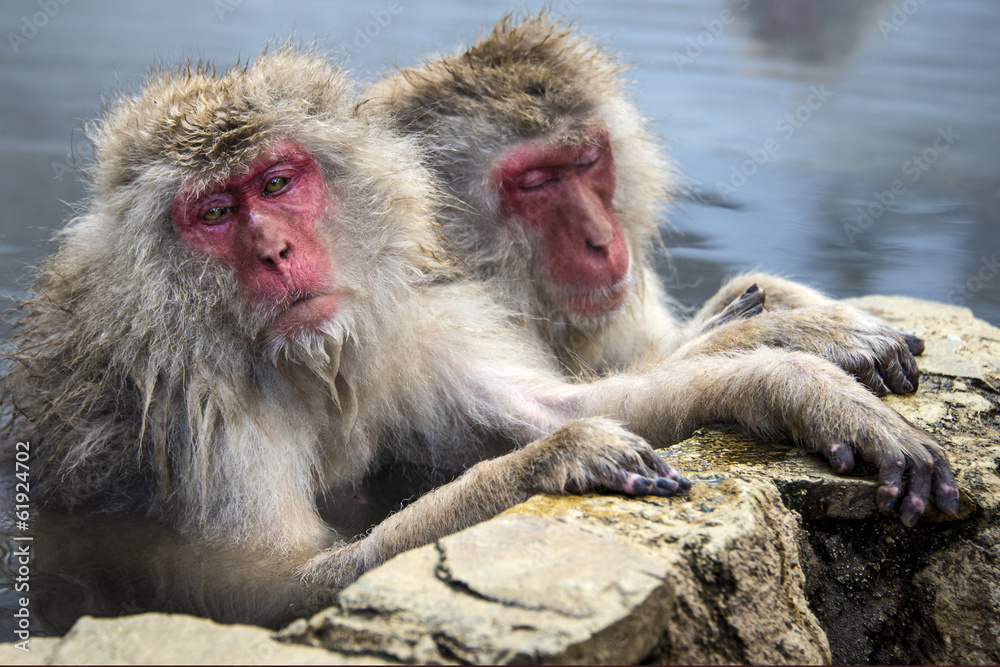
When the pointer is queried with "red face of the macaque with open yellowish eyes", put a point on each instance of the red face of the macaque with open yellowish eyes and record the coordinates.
(263, 226)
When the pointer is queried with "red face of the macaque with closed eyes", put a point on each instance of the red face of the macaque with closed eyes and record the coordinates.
(564, 195)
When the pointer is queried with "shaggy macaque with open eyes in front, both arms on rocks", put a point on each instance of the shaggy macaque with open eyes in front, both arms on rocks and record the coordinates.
(251, 306)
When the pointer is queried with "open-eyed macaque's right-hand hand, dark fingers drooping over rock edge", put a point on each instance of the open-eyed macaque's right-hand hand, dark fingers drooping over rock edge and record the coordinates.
(913, 469)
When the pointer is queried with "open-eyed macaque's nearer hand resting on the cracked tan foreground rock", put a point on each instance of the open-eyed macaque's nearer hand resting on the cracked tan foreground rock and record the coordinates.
(593, 454)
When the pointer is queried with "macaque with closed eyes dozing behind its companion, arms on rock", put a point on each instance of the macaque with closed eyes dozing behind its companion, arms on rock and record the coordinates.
(557, 186)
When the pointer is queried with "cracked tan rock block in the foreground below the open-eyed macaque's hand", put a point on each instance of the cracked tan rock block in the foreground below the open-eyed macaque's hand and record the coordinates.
(711, 579)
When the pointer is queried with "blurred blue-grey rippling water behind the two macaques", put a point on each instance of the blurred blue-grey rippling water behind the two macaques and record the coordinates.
(850, 144)
